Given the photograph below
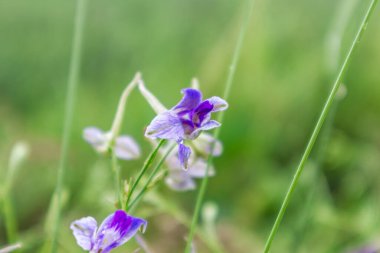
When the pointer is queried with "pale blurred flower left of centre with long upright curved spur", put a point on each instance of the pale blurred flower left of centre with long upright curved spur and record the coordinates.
(125, 147)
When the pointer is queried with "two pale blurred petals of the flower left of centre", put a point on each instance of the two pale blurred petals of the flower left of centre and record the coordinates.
(125, 147)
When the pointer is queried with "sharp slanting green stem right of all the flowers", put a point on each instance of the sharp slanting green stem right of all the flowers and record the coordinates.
(318, 126)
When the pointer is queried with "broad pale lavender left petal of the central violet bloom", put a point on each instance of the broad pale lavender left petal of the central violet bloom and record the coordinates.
(166, 125)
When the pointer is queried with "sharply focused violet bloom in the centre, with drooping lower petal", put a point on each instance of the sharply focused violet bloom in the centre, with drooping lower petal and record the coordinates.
(186, 121)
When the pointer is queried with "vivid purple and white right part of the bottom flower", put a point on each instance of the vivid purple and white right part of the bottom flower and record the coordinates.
(117, 229)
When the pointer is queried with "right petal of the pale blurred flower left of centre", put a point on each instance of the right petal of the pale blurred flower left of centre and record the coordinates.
(126, 148)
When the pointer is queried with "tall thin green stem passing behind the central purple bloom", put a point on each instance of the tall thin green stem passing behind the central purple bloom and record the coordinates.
(226, 94)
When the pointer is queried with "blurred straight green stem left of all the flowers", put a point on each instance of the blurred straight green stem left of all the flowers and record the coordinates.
(69, 109)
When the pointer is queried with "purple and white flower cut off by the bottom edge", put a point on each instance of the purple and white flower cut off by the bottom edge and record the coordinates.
(115, 230)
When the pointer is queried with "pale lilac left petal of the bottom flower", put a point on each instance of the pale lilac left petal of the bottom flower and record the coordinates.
(84, 232)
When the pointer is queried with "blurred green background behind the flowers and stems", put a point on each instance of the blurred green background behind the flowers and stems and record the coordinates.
(288, 63)
